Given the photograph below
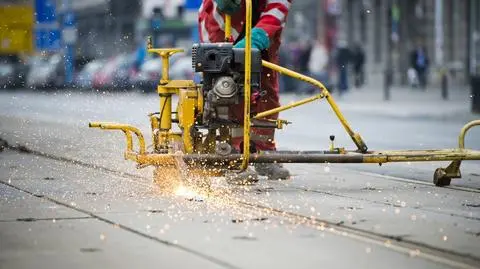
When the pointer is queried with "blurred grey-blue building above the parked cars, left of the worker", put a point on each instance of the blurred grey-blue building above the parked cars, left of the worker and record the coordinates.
(108, 27)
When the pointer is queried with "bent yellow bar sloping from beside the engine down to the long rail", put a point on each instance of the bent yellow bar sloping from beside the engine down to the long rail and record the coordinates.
(355, 137)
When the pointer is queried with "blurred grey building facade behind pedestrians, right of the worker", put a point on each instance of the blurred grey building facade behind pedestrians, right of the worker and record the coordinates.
(390, 29)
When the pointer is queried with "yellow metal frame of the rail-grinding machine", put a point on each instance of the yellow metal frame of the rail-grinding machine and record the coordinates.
(169, 145)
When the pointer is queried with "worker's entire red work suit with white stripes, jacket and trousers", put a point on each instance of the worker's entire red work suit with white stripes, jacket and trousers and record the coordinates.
(272, 19)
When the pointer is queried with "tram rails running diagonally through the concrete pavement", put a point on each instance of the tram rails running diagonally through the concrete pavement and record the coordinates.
(397, 244)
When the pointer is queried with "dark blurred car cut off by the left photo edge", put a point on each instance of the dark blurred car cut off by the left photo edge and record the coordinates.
(12, 72)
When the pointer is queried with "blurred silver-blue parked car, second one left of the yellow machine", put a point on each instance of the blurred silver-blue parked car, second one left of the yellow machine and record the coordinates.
(115, 74)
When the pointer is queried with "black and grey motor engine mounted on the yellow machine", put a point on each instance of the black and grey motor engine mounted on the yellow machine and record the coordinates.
(223, 69)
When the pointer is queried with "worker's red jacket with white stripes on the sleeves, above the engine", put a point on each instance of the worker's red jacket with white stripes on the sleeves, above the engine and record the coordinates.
(273, 14)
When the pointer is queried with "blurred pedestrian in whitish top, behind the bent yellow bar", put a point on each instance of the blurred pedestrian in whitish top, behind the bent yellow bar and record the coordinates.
(318, 64)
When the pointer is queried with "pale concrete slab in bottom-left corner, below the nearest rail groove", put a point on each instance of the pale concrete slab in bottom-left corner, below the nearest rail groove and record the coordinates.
(86, 244)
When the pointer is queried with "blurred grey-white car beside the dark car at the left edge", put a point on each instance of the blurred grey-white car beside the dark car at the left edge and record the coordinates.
(46, 72)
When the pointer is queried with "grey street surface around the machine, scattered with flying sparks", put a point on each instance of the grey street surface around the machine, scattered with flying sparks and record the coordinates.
(72, 201)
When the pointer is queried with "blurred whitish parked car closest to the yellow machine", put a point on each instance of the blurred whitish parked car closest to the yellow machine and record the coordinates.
(148, 76)
